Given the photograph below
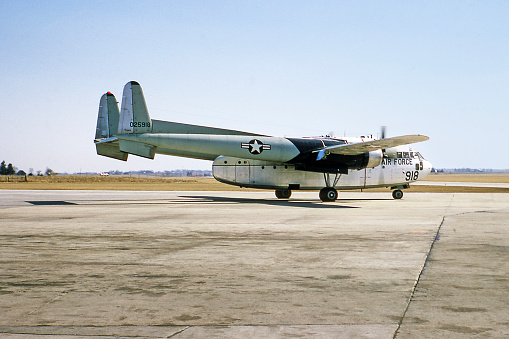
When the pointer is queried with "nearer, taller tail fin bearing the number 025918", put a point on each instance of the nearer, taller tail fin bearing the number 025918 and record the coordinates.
(134, 117)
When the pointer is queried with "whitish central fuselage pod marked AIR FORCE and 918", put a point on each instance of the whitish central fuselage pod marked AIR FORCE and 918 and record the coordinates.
(400, 167)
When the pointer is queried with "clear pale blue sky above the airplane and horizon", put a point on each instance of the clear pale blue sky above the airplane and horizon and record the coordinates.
(284, 68)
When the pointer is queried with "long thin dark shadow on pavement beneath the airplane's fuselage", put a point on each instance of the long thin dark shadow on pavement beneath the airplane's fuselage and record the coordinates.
(289, 203)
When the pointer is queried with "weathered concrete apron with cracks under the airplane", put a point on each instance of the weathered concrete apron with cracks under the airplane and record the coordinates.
(244, 264)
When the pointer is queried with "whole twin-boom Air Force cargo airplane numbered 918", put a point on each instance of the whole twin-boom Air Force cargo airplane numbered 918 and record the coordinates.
(260, 161)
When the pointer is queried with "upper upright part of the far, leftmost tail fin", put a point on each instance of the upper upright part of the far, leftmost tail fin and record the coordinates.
(107, 119)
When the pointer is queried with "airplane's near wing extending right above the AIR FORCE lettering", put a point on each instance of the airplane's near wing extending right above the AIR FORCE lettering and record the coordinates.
(368, 146)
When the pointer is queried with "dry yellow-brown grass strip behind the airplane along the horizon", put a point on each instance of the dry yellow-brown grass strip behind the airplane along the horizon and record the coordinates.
(126, 183)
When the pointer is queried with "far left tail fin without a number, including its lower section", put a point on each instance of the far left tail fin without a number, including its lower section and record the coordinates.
(107, 127)
